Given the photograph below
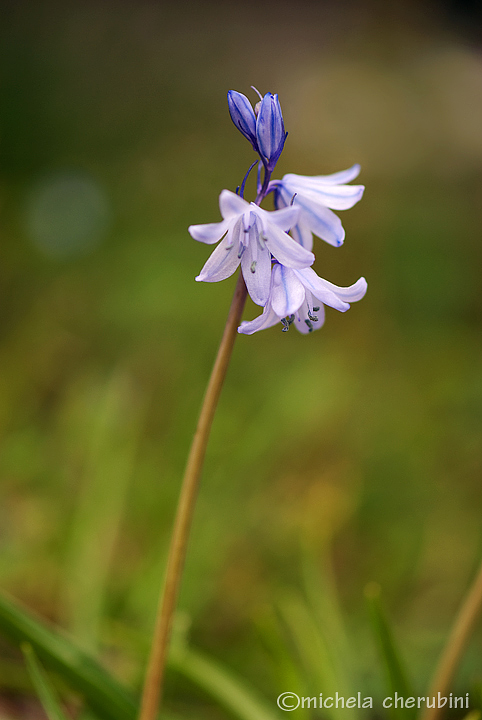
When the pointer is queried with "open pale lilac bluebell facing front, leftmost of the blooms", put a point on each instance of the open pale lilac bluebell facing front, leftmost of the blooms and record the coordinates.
(250, 236)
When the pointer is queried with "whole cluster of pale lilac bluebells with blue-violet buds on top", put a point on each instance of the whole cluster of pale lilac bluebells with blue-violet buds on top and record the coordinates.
(274, 248)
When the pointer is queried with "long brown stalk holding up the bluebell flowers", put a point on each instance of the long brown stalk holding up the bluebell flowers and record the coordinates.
(152, 692)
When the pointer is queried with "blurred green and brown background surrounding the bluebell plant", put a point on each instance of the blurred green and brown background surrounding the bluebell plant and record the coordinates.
(350, 456)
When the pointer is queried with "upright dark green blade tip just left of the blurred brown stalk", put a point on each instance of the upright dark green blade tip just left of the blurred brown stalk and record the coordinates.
(397, 679)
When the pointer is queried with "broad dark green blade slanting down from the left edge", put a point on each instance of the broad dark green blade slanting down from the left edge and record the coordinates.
(108, 698)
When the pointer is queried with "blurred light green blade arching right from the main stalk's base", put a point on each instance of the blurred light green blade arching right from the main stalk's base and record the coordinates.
(220, 684)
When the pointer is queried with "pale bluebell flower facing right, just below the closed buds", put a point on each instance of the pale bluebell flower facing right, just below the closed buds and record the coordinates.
(315, 196)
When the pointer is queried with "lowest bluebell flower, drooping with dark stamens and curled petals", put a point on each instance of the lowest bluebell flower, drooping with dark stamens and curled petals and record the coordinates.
(298, 296)
